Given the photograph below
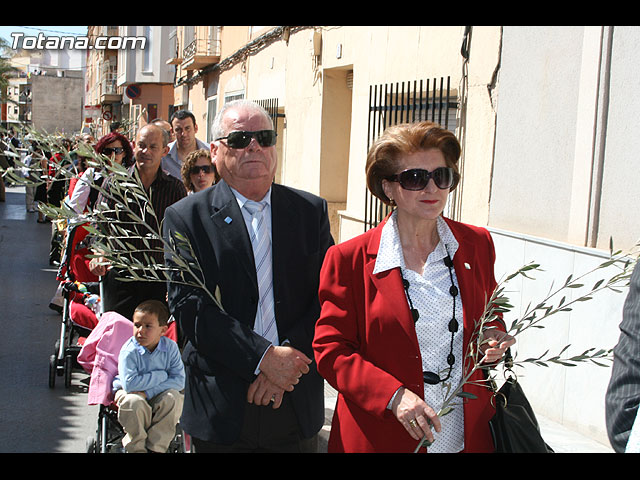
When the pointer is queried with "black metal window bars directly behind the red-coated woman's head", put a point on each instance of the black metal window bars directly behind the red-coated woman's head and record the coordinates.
(406, 102)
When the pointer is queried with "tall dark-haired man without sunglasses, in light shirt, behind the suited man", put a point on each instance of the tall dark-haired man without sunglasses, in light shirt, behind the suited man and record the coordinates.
(184, 128)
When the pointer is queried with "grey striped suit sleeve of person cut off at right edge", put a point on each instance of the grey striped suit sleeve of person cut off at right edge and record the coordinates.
(623, 393)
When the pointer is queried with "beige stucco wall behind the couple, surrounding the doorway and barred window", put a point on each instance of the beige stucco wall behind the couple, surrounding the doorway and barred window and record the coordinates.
(323, 141)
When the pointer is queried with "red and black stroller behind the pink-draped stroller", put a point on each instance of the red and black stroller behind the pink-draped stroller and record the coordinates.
(72, 334)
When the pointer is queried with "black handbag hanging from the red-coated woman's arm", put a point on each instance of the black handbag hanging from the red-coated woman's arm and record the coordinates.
(514, 426)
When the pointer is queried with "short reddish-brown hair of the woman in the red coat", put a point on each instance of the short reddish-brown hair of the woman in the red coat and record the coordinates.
(405, 139)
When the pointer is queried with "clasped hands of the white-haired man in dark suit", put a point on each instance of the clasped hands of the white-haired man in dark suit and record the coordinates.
(284, 366)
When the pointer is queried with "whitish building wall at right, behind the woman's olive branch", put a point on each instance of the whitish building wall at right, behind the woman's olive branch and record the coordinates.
(564, 186)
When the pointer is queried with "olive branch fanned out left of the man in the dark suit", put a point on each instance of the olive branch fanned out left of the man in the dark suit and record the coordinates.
(124, 228)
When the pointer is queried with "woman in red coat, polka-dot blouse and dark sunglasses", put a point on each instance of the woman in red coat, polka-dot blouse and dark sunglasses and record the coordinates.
(400, 304)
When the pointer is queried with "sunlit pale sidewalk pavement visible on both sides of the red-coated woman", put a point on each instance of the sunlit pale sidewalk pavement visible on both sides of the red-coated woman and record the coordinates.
(560, 438)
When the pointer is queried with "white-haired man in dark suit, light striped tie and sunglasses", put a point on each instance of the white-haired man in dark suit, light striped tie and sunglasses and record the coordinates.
(250, 387)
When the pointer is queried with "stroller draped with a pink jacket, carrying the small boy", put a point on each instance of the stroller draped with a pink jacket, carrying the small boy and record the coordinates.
(99, 358)
